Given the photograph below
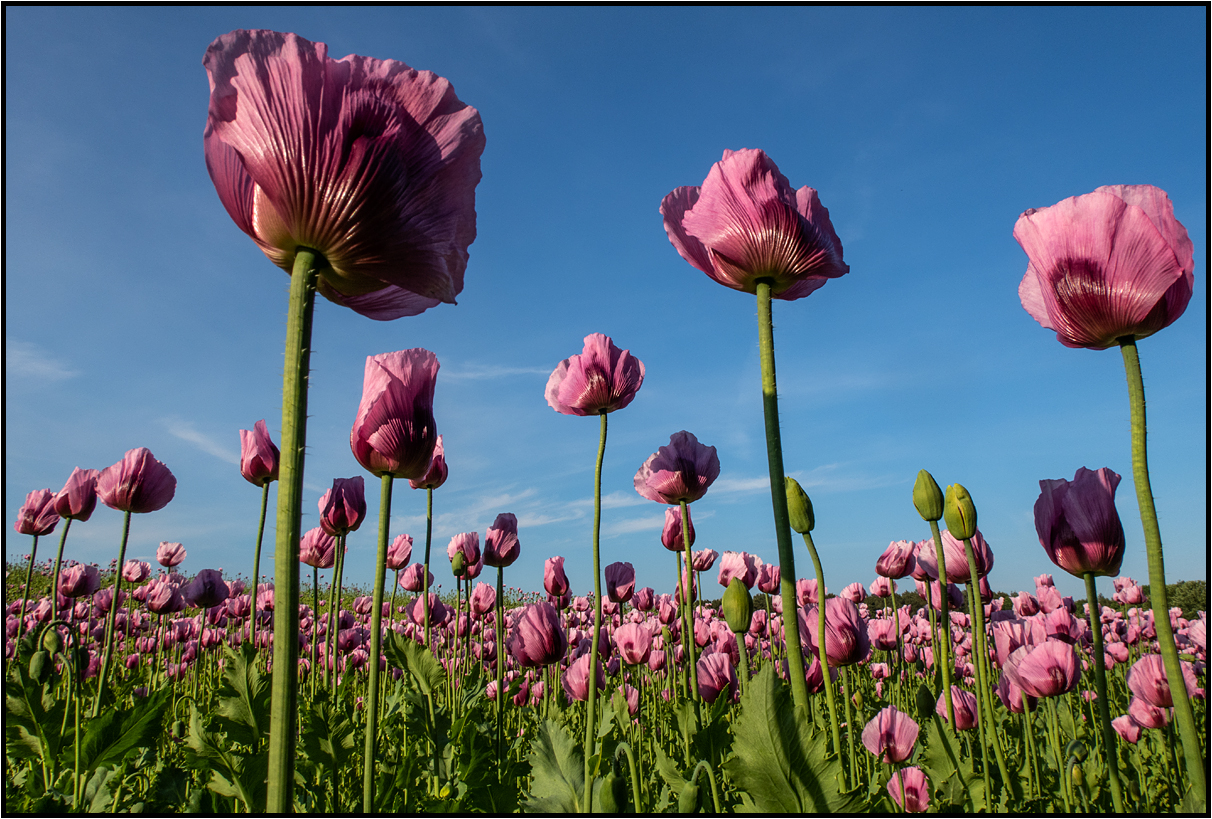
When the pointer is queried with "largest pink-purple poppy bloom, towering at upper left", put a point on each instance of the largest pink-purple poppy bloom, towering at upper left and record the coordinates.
(367, 162)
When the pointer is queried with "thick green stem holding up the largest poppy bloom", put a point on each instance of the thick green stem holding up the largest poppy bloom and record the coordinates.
(284, 688)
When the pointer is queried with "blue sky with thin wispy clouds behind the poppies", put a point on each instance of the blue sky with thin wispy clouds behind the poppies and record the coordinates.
(139, 316)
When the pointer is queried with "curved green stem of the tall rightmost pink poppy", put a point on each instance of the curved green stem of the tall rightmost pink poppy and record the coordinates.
(1185, 717)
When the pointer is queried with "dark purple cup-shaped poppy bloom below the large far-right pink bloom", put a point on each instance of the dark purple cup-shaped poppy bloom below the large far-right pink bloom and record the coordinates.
(1078, 524)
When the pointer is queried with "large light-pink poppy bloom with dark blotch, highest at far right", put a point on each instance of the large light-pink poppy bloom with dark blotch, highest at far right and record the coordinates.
(1107, 265)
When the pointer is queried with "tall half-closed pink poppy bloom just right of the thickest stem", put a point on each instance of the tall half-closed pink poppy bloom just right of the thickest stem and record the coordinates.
(395, 432)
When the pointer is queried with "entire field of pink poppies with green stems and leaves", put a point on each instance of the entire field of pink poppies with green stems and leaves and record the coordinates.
(728, 684)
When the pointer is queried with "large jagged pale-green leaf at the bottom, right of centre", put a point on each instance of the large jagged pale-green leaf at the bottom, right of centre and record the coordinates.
(777, 764)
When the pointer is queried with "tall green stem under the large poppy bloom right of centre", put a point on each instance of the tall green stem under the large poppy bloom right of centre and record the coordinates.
(779, 497)
